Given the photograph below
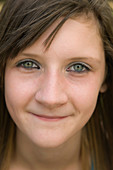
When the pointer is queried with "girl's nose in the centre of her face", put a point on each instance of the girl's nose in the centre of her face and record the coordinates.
(51, 92)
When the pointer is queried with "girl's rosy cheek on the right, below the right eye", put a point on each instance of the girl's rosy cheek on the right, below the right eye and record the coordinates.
(84, 96)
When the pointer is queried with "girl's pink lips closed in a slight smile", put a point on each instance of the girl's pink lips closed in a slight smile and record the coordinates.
(50, 118)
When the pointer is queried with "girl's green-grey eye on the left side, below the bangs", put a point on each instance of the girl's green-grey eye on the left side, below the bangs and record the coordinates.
(28, 64)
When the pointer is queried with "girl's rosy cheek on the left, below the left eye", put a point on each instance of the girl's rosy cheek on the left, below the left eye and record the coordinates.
(18, 92)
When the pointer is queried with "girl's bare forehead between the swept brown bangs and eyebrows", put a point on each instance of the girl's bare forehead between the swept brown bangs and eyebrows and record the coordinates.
(81, 32)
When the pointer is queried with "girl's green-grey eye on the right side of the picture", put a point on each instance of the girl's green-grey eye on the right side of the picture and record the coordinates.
(78, 67)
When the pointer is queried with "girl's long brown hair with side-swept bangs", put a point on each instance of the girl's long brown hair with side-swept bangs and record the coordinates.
(21, 24)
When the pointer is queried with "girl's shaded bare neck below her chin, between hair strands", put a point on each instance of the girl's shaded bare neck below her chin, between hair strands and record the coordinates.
(30, 156)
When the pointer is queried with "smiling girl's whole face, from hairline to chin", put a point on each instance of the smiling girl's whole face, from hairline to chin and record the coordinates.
(51, 94)
